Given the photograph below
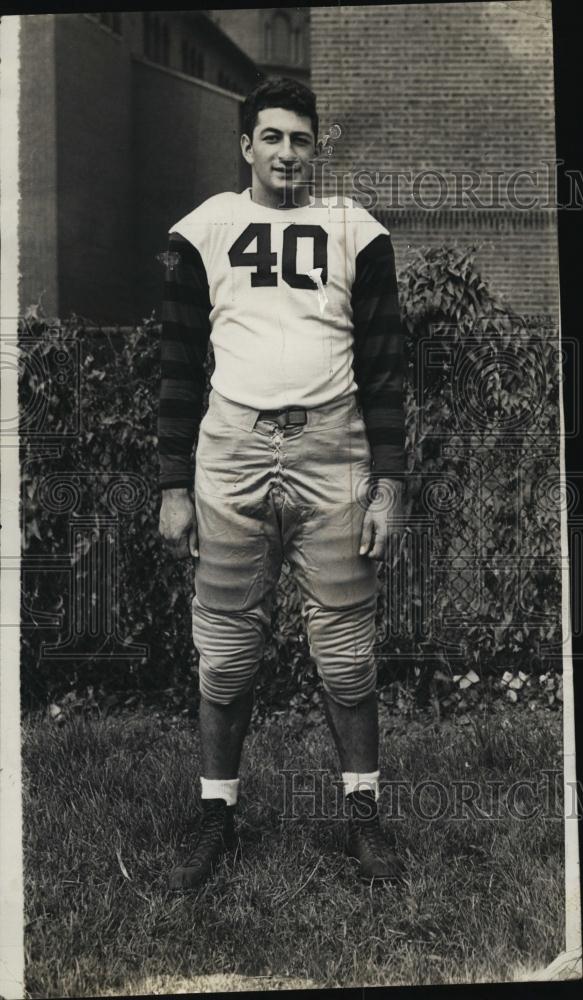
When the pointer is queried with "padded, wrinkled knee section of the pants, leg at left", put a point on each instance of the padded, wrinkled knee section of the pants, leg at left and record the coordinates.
(230, 648)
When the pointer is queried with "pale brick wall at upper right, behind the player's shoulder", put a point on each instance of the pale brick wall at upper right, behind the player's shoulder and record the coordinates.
(448, 88)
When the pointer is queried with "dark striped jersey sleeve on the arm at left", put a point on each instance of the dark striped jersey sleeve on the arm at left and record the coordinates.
(184, 345)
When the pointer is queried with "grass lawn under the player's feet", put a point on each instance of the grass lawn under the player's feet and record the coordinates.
(107, 802)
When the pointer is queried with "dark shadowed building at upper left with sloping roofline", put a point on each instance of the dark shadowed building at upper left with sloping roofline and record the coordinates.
(127, 121)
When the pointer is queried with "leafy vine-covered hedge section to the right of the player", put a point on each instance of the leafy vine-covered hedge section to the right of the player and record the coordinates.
(483, 464)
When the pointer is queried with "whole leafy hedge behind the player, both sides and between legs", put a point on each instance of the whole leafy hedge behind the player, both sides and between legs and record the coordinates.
(478, 563)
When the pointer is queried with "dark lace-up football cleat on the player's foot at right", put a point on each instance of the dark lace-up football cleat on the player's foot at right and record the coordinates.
(367, 844)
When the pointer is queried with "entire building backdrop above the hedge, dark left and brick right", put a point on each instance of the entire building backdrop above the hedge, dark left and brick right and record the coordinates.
(130, 119)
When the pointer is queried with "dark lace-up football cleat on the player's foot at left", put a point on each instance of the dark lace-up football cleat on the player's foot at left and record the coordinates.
(216, 835)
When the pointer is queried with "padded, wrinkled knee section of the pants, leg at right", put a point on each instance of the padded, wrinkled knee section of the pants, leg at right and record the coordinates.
(341, 643)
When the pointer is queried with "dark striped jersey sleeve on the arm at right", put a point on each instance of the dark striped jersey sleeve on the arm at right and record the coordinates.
(378, 355)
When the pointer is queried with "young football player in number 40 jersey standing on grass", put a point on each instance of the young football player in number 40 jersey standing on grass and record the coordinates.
(299, 298)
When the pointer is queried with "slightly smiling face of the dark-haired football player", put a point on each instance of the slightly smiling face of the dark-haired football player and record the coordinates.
(280, 155)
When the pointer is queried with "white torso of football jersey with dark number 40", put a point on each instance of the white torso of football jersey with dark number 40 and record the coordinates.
(280, 285)
